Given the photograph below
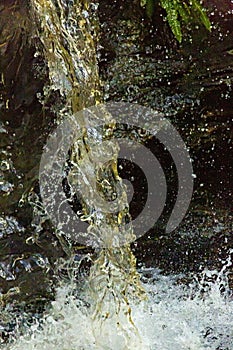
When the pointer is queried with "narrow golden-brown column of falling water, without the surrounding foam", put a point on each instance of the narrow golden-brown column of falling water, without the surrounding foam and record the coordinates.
(68, 31)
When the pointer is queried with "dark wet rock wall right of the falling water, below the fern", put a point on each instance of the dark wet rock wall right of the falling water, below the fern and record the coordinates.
(192, 85)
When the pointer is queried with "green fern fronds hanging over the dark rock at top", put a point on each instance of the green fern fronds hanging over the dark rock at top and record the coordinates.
(178, 11)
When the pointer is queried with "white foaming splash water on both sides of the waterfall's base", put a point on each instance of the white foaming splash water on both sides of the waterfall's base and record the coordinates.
(178, 316)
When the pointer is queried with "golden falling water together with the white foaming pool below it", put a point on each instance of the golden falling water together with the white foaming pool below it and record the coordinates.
(115, 306)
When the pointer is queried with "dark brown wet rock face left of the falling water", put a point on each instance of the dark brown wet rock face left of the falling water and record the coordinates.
(24, 126)
